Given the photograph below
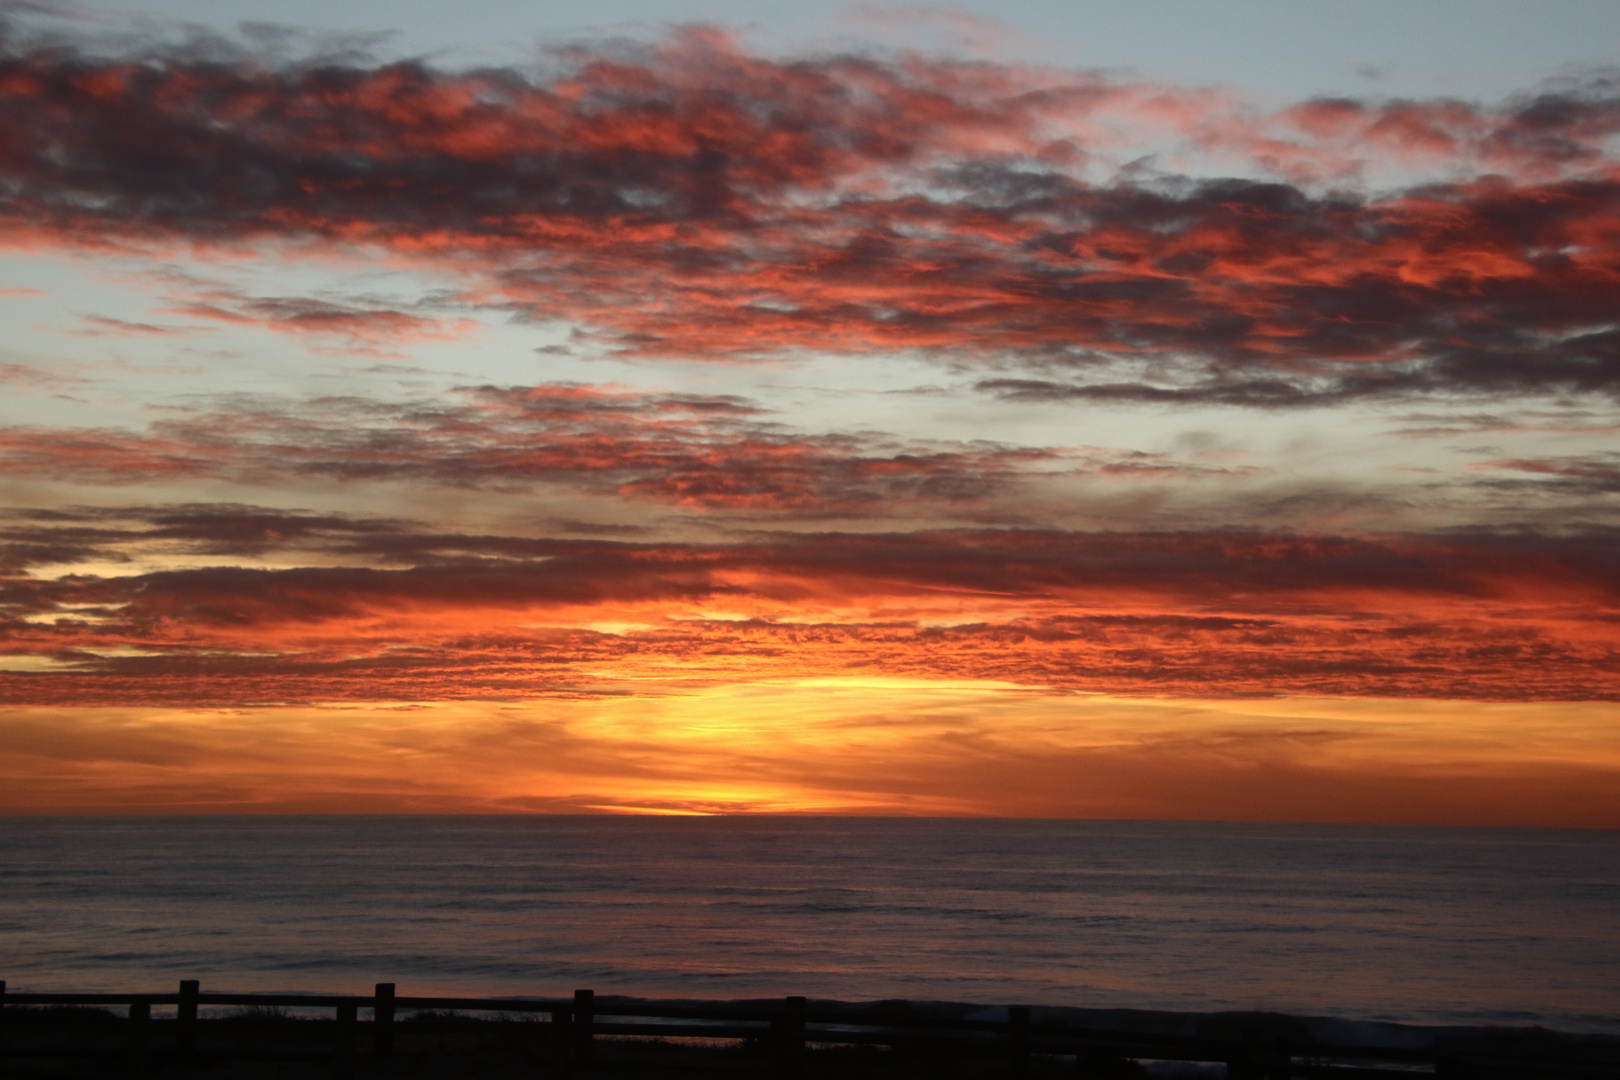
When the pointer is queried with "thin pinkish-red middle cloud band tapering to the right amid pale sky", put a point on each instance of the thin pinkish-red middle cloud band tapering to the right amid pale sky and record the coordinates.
(714, 453)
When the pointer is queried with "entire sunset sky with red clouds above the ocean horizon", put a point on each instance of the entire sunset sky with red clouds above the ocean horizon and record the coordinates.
(1161, 410)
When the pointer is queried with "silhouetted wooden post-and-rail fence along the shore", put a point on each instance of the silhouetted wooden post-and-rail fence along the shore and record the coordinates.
(568, 1029)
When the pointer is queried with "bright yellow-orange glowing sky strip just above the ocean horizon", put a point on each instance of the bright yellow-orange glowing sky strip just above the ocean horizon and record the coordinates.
(838, 746)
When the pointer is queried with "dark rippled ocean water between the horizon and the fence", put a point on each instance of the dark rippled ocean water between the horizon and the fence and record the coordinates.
(1413, 925)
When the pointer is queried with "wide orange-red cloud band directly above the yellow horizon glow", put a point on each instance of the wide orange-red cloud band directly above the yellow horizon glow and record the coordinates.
(401, 614)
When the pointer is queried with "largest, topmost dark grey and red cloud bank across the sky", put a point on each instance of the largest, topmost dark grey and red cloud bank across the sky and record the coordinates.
(691, 200)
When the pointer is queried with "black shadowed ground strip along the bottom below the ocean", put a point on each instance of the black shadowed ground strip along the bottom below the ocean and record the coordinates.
(879, 1042)
